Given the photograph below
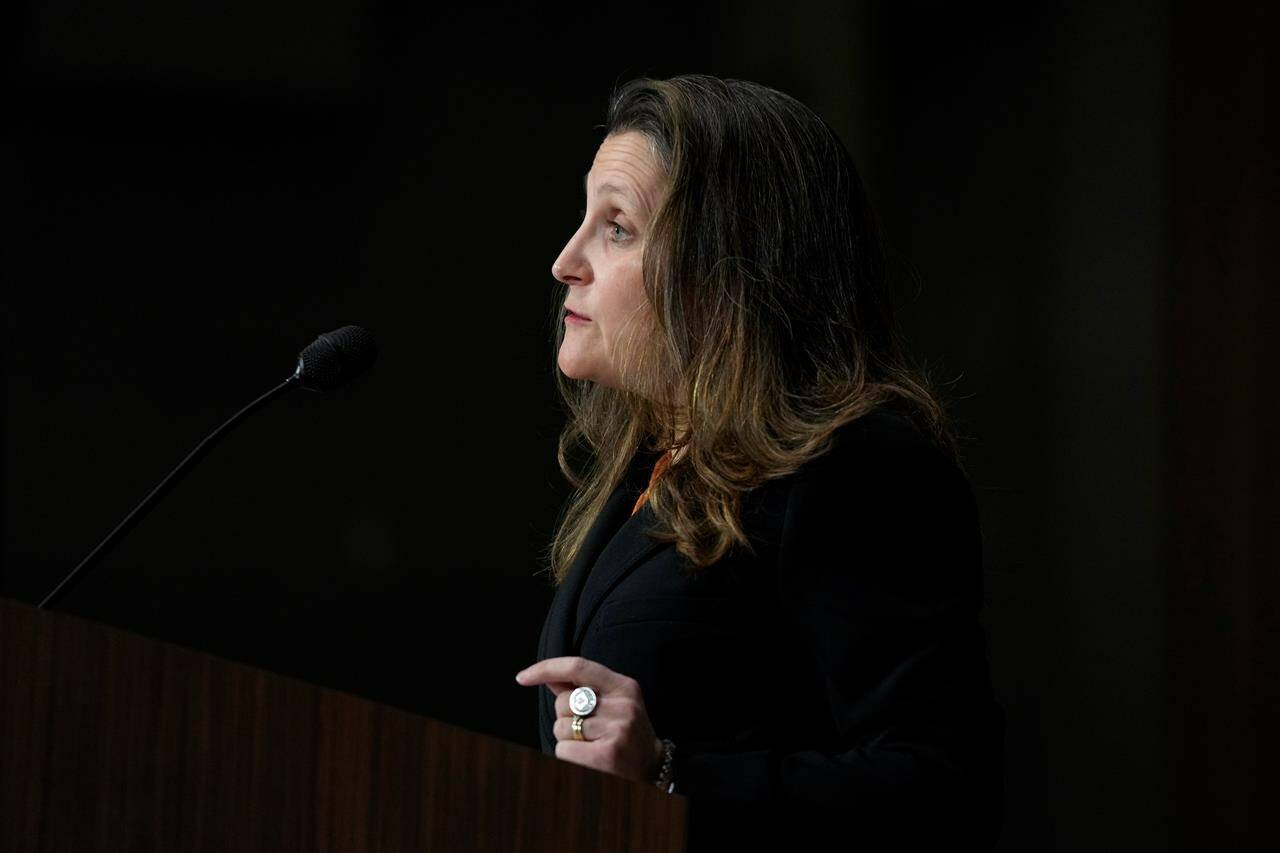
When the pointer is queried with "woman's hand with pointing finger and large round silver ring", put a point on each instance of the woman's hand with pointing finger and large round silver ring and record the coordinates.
(620, 740)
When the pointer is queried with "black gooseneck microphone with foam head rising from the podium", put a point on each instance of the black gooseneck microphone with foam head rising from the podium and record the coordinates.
(330, 362)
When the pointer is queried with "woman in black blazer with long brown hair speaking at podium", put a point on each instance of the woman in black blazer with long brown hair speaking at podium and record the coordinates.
(770, 577)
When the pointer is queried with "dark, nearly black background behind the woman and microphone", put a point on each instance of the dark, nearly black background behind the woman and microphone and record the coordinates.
(194, 193)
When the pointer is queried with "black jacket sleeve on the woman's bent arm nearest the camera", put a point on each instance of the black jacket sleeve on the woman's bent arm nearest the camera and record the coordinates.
(880, 578)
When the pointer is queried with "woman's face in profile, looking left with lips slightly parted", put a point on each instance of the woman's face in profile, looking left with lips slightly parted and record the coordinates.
(601, 262)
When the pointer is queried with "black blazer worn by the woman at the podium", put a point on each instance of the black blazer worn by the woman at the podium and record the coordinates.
(835, 686)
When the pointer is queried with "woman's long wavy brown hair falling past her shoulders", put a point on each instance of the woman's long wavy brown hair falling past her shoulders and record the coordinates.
(772, 323)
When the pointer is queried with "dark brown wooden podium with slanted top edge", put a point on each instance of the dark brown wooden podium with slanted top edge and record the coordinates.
(115, 742)
